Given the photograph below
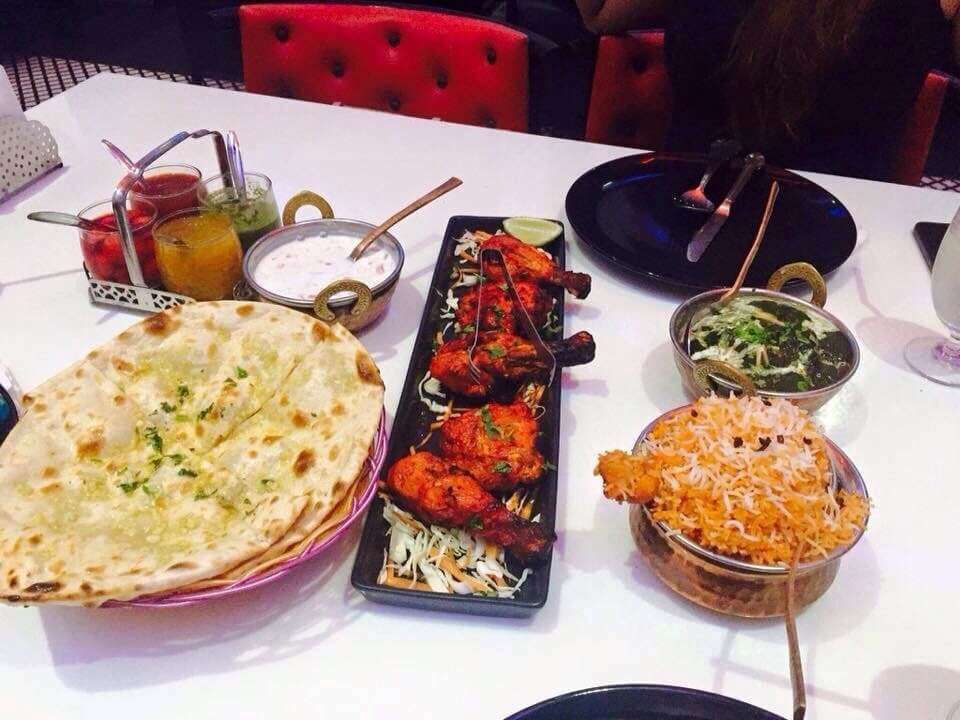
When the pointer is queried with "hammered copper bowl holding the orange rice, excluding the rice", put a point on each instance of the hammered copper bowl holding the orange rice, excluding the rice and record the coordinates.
(729, 585)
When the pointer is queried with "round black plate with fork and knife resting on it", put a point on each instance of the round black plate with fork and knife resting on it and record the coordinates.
(625, 210)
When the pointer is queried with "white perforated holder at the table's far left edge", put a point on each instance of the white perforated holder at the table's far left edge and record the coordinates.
(28, 152)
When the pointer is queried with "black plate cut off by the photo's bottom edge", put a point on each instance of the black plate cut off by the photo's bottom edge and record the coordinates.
(642, 702)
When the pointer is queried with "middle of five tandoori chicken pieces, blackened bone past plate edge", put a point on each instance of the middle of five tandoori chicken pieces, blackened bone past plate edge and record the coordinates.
(500, 357)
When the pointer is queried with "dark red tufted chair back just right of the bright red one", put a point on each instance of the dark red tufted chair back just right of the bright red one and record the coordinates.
(630, 100)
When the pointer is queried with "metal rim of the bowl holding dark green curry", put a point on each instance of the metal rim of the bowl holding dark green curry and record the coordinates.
(801, 396)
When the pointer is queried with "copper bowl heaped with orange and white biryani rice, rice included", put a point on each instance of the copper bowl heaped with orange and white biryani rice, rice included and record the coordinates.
(728, 492)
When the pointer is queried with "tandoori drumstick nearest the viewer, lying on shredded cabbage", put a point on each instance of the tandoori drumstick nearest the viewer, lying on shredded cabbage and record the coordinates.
(439, 493)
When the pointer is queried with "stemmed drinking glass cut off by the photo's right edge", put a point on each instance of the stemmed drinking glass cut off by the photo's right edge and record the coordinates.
(938, 359)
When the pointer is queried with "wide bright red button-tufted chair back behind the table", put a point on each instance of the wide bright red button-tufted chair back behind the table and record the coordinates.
(413, 62)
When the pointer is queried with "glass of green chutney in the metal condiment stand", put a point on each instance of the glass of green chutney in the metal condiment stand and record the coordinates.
(254, 215)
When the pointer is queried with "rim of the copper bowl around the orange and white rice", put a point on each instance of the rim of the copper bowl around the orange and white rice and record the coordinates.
(840, 463)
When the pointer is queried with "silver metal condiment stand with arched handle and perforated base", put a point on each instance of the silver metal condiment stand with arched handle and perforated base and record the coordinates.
(137, 295)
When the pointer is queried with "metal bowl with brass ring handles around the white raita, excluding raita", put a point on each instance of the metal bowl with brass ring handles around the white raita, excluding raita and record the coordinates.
(350, 302)
